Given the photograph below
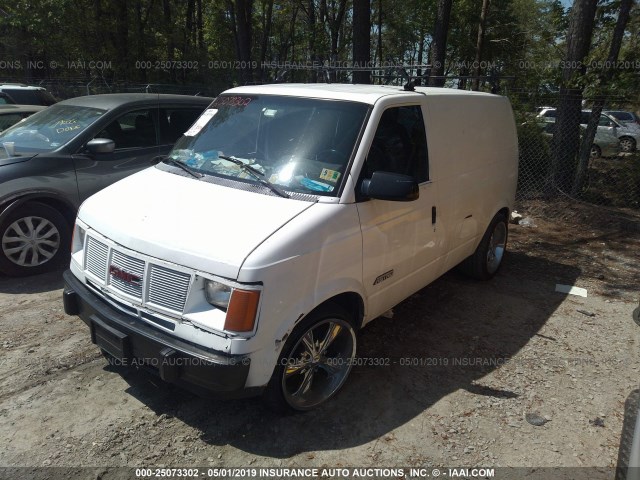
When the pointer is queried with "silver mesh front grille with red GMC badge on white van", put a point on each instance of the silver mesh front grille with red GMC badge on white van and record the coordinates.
(165, 287)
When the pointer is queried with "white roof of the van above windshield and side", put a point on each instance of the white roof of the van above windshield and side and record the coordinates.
(340, 91)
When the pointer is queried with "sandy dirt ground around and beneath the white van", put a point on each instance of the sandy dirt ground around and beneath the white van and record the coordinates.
(483, 358)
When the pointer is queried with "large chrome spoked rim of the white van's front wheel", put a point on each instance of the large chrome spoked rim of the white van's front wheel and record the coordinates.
(318, 364)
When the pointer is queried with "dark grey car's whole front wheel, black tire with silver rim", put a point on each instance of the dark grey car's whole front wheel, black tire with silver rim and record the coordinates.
(34, 239)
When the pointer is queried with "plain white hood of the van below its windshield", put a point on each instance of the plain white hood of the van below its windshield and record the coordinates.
(186, 221)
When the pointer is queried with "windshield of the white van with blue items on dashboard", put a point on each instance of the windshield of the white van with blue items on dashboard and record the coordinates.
(302, 145)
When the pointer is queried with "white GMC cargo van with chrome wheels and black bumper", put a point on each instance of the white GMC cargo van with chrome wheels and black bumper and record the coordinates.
(283, 221)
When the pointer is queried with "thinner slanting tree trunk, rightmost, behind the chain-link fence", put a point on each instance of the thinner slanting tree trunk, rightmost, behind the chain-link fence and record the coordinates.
(596, 110)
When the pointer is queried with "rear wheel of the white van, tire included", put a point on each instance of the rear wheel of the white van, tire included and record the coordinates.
(487, 259)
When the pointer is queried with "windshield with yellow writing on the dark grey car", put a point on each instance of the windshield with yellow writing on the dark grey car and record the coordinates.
(50, 129)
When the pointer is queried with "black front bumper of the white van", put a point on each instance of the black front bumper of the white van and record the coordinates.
(133, 342)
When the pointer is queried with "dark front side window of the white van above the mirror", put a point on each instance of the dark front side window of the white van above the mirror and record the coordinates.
(400, 144)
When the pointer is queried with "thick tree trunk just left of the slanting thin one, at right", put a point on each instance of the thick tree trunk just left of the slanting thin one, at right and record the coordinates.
(566, 140)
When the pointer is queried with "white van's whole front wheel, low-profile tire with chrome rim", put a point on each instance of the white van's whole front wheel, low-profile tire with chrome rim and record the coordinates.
(309, 373)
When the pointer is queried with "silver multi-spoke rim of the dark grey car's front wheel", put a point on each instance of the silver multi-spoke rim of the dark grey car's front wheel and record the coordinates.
(30, 241)
